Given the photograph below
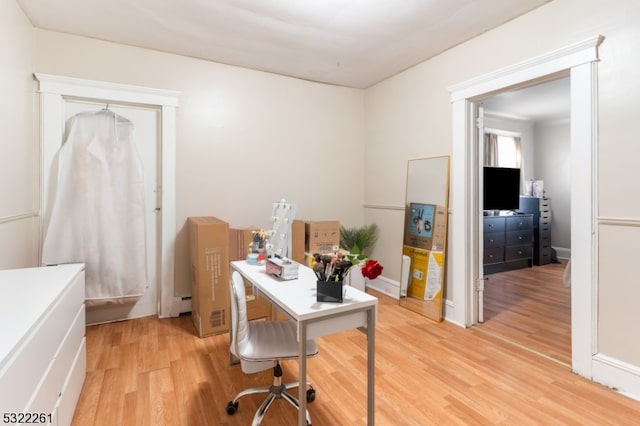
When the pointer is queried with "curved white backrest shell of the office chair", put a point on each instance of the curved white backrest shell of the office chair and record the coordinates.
(240, 330)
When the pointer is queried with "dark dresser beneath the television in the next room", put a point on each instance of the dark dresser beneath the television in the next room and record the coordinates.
(508, 242)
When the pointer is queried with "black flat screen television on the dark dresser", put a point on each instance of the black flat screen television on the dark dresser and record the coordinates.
(501, 188)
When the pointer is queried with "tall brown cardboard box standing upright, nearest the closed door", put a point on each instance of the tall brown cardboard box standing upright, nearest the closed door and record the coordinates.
(209, 258)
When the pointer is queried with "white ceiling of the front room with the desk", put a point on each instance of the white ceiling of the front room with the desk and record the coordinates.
(353, 43)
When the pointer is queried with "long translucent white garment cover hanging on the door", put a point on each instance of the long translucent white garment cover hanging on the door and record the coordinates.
(97, 215)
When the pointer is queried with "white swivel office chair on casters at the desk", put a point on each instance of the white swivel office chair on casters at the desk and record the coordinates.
(261, 345)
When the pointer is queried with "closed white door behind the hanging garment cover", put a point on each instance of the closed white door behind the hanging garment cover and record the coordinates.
(147, 142)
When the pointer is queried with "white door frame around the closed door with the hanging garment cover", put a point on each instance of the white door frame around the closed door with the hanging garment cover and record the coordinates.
(53, 90)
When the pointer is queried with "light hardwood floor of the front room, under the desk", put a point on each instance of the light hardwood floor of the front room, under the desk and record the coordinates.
(149, 371)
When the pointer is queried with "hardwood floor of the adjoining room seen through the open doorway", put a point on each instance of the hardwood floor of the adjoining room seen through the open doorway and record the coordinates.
(531, 307)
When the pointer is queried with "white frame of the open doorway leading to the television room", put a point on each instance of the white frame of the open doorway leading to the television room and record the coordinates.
(579, 61)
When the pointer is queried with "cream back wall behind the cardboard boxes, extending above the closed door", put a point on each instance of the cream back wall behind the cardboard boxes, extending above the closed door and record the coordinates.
(245, 138)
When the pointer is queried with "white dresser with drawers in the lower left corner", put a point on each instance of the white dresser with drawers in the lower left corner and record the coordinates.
(42, 343)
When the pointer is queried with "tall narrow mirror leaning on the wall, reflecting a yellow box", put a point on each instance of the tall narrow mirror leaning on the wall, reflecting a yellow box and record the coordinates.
(425, 236)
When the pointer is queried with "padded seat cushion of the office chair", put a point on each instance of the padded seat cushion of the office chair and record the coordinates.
(272, 340)
